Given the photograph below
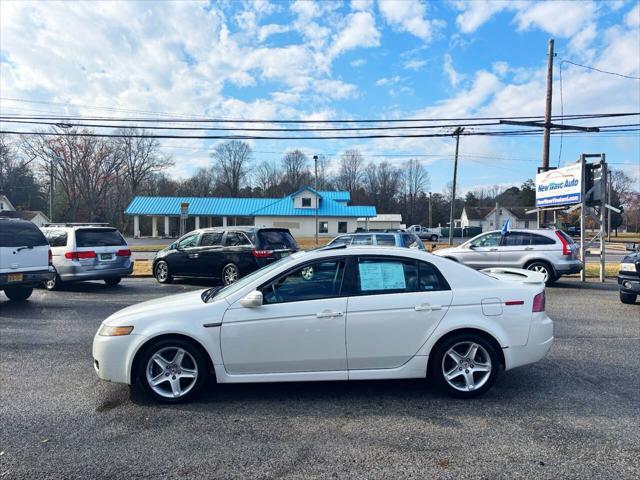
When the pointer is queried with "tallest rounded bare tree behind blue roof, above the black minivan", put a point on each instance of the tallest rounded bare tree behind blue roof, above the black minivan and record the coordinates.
(232, 161)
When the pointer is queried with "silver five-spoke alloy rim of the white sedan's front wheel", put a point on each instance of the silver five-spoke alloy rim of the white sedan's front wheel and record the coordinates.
(172, 378)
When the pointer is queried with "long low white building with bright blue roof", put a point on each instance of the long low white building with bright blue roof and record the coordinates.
(297, 212)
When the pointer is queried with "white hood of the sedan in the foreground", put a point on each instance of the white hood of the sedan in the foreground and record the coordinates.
(183, 307)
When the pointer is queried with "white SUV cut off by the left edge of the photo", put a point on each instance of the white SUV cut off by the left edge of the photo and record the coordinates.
(25, 258)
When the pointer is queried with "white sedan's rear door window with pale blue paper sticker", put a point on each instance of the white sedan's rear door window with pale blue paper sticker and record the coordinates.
(386, 275)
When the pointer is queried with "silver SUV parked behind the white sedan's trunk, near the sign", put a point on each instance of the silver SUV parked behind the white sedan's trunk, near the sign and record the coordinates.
(550, 252)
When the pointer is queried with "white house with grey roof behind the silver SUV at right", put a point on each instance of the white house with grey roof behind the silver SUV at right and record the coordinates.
(492, 218)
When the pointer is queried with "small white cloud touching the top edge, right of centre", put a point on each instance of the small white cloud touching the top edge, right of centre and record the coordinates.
(409, 16)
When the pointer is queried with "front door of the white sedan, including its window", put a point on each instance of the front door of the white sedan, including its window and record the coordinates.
(299, 328)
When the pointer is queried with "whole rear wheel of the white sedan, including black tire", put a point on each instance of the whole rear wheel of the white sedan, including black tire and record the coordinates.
(465, 365)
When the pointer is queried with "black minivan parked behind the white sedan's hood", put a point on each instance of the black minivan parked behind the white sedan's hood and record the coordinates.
(226, 253)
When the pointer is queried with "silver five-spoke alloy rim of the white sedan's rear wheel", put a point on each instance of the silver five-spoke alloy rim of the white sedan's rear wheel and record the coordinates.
(466, 366)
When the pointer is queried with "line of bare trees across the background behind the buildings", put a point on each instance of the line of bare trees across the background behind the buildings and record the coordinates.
(95, 178)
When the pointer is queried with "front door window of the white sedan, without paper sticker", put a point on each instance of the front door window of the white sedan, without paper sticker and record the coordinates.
(311, 282)
